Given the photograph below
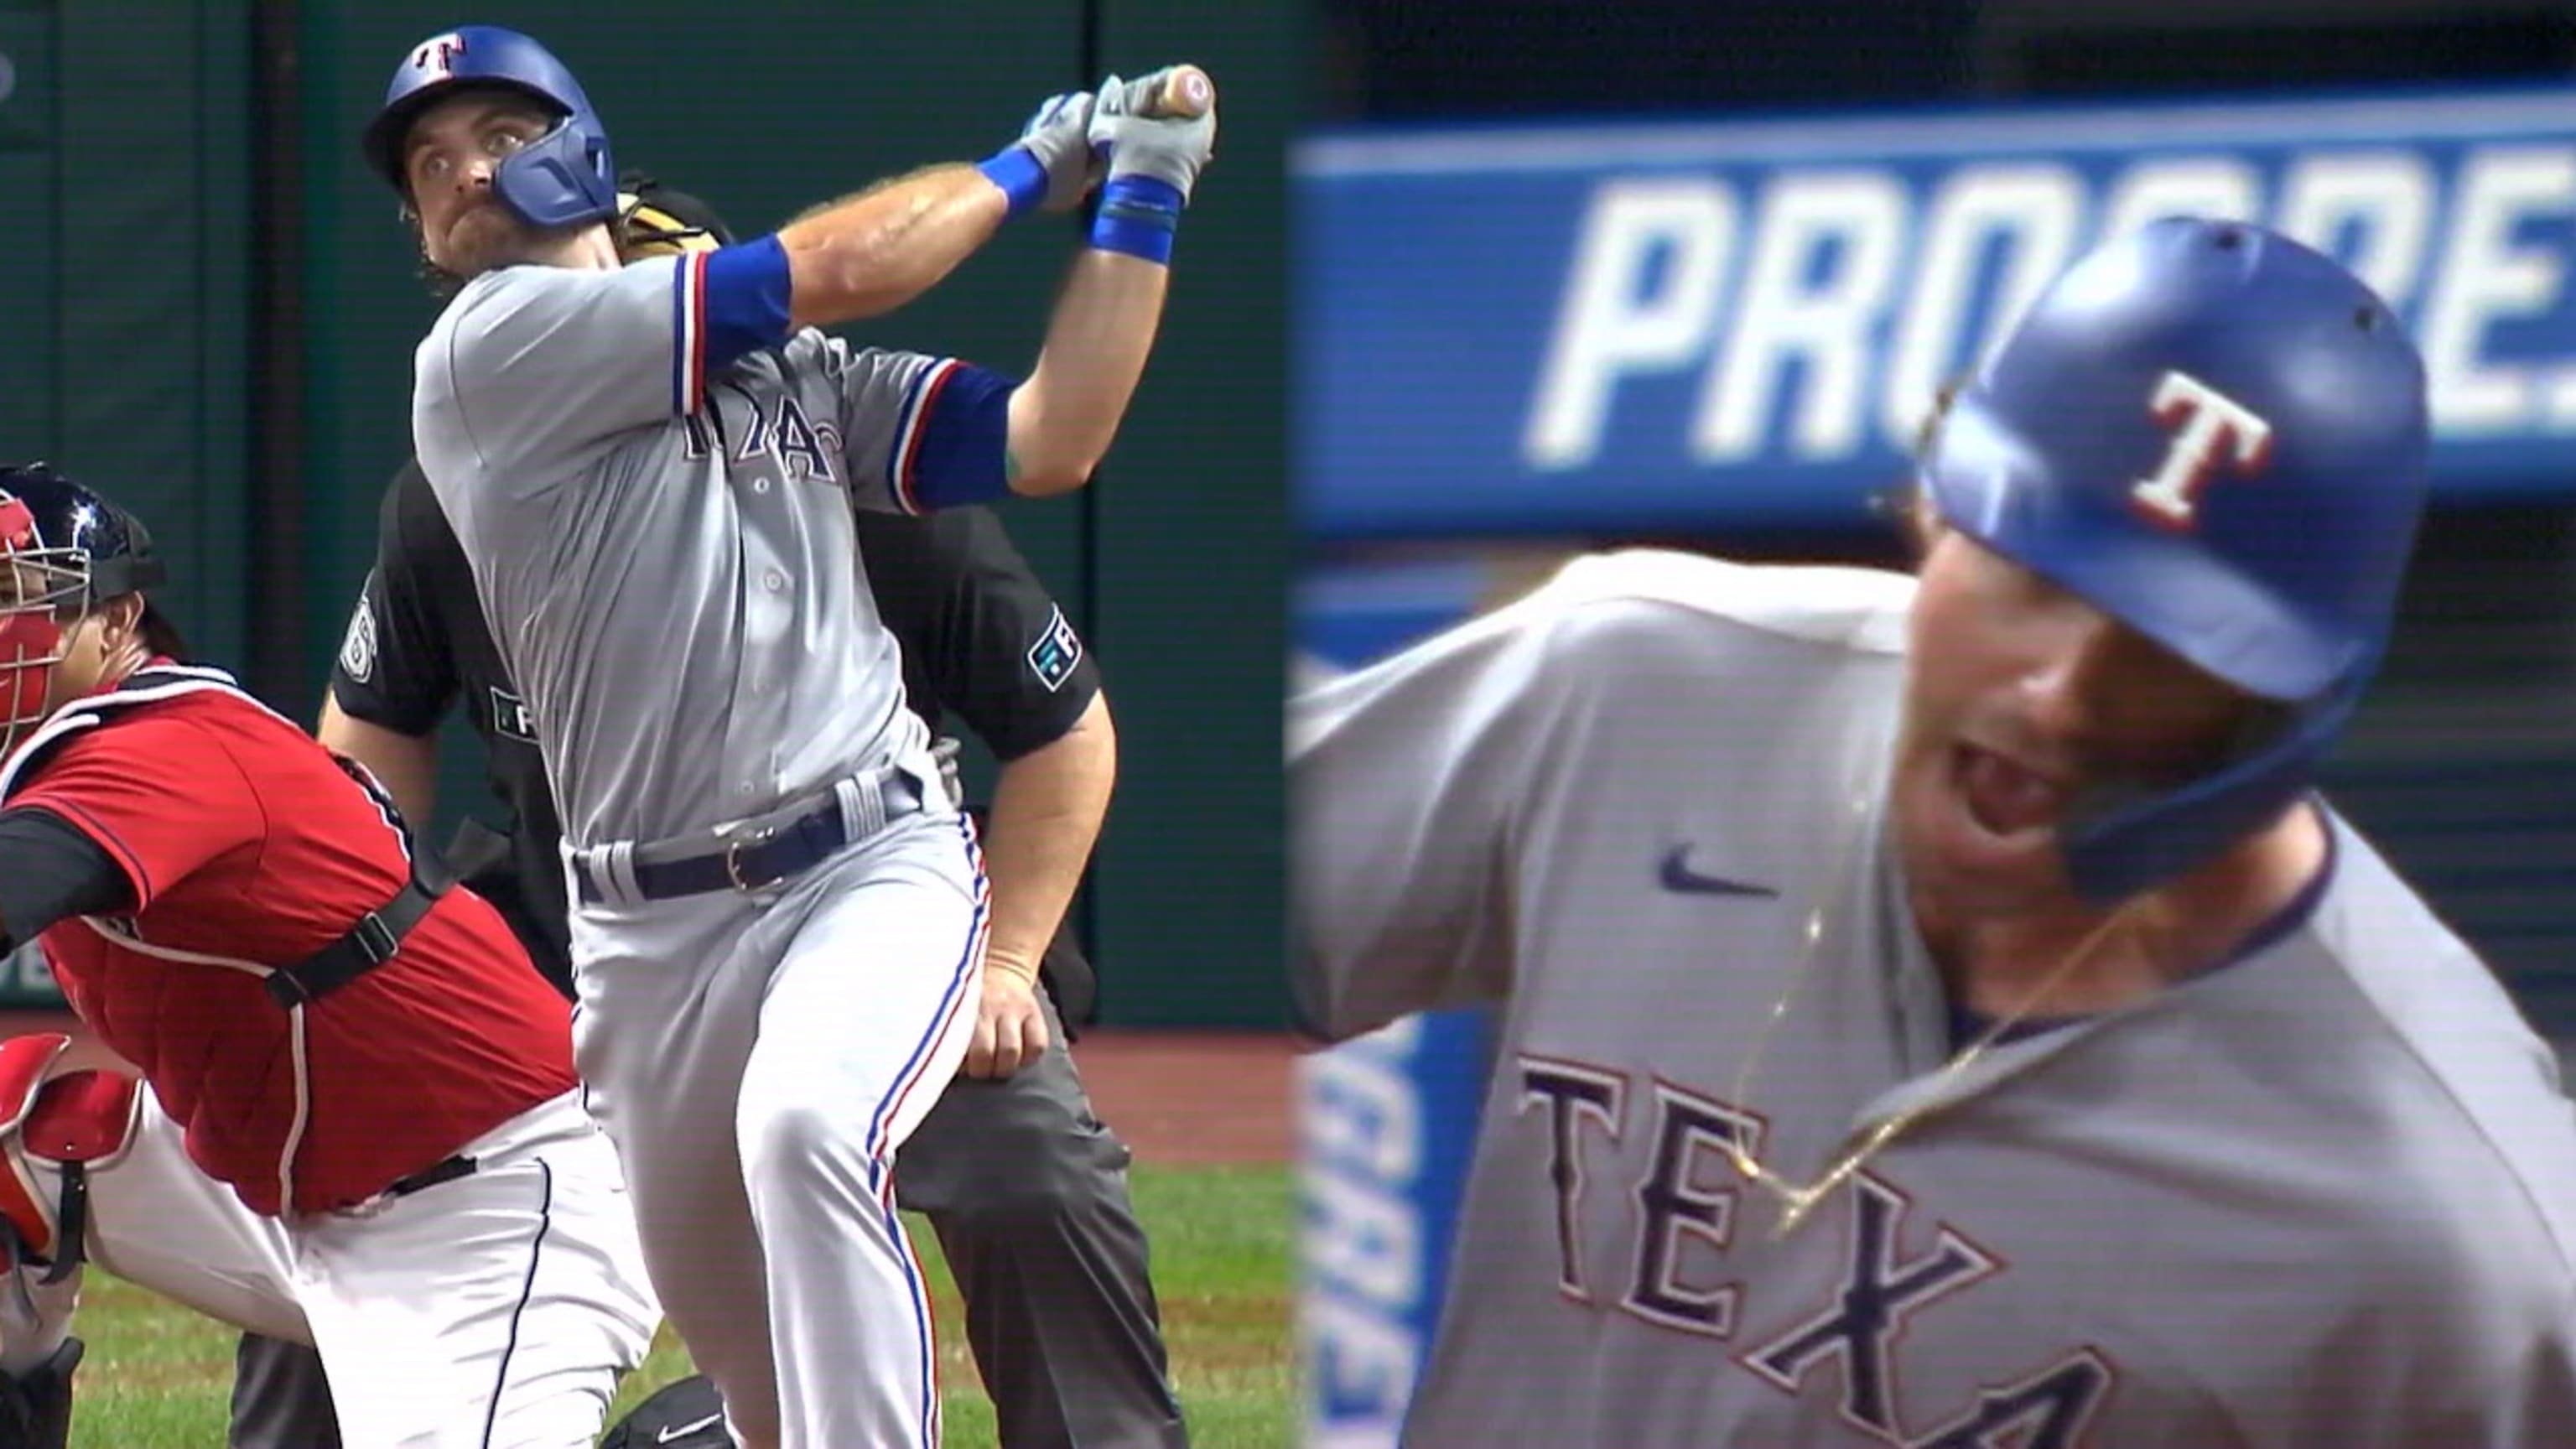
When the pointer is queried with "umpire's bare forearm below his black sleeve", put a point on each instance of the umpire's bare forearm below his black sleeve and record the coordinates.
(1039, 837)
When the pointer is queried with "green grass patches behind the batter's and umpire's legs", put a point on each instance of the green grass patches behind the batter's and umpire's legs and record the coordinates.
(158, 1376)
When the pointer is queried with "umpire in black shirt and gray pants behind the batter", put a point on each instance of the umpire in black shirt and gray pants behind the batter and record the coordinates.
(1024, 1187)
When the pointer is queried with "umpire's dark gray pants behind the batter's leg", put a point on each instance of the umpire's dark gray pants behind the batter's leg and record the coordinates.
(1029, 1198)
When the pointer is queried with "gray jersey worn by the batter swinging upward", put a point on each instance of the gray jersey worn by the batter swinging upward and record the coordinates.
(663, 543)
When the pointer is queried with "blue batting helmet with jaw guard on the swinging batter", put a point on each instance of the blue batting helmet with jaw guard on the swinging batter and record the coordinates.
(563, 179)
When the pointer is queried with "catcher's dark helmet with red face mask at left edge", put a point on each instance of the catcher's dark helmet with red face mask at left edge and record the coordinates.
(63, 553)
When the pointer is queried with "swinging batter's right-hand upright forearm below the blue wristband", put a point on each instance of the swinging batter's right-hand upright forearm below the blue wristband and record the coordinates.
(1068, 414)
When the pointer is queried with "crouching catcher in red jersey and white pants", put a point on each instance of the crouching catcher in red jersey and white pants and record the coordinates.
(357, 1120)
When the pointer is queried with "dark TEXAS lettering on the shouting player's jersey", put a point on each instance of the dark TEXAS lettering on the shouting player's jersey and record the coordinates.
(1665, 1146)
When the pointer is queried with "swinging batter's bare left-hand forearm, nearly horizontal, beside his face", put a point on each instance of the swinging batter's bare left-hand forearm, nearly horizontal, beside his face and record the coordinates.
(877, 251)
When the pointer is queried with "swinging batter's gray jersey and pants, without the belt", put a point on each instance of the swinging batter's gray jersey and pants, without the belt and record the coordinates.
(653, 486)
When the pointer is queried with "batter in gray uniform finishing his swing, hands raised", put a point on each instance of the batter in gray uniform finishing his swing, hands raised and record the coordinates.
(779, 909)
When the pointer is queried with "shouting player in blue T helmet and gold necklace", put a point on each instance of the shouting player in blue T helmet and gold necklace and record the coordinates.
(1938, 1012)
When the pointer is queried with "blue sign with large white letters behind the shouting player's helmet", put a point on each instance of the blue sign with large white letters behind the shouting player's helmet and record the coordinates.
(1596, 329)
